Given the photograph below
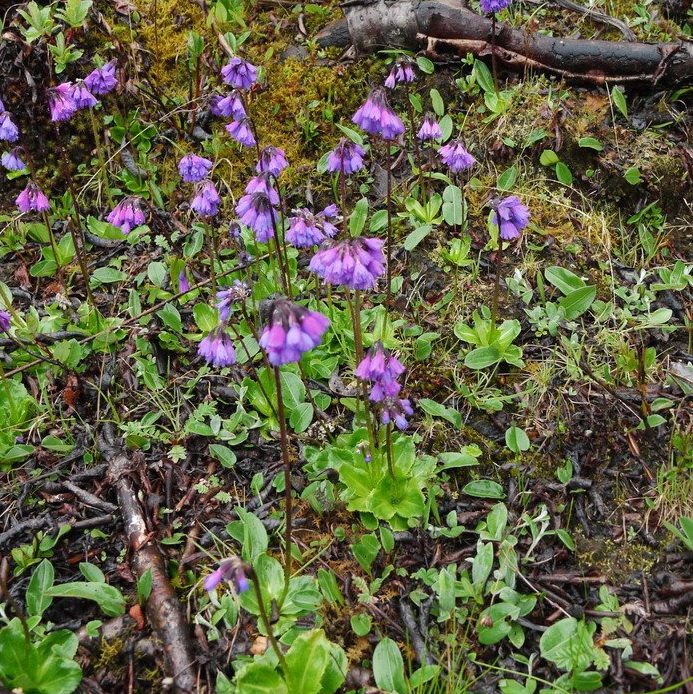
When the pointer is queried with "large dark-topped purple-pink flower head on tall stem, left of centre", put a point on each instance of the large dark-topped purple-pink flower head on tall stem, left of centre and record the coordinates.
(291, 331)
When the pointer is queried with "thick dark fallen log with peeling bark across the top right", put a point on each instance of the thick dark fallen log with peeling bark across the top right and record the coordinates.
(446, 28)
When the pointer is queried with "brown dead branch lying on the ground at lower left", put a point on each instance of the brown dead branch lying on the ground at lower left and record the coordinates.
(163, 607)
